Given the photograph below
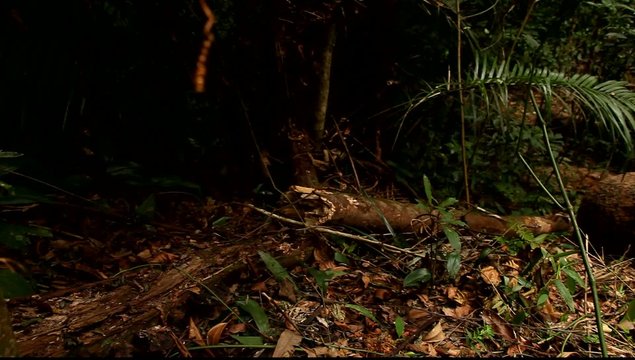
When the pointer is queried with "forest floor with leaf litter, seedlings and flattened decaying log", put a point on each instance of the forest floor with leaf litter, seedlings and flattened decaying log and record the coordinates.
(191, 277)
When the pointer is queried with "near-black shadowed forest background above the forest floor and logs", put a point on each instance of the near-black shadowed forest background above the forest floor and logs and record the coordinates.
(92, 89)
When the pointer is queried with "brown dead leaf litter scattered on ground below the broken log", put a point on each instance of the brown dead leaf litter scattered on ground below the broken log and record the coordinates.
(349, 304)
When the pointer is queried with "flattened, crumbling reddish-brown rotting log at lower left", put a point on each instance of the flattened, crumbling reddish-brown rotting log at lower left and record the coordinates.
(95, 319)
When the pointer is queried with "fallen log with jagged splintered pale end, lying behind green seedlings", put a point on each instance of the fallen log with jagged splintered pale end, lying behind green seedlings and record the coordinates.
(325, 207)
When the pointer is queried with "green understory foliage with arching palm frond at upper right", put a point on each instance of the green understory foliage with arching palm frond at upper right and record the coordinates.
(506, 67)
